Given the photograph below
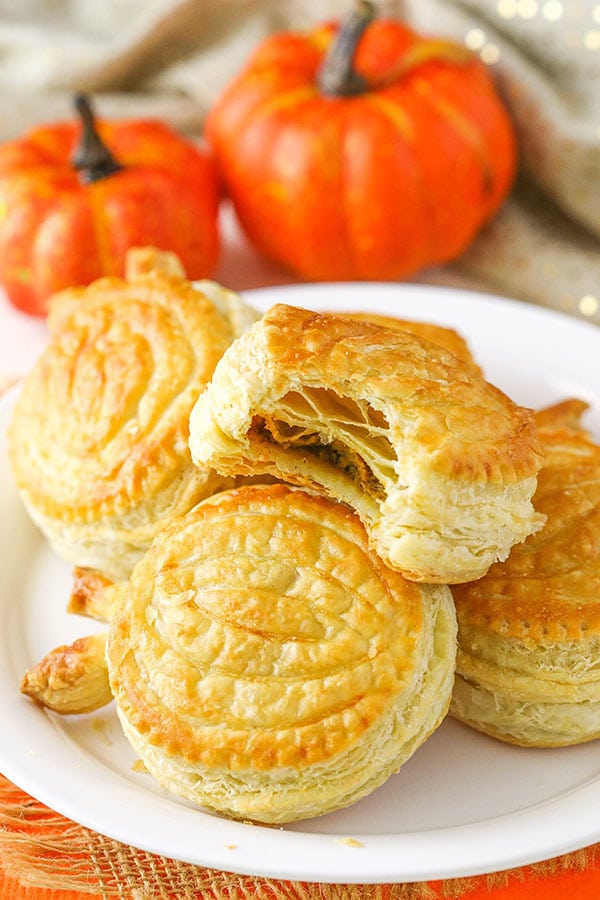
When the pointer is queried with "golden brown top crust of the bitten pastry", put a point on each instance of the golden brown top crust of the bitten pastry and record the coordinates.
(449, 404)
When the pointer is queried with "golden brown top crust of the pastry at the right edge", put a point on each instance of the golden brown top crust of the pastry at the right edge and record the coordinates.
(548, 587)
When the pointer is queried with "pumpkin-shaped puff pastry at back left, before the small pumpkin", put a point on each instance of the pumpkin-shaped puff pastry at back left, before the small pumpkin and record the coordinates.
(98, 439)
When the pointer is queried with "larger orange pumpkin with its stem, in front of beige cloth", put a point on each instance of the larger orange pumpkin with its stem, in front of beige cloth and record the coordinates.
(366, 152)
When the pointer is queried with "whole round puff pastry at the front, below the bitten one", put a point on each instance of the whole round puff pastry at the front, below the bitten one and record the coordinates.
(266, 664)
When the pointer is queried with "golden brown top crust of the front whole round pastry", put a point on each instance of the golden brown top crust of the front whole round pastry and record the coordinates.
(211, 559)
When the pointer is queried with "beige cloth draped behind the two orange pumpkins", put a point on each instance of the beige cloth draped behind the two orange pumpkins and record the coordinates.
(169, 58)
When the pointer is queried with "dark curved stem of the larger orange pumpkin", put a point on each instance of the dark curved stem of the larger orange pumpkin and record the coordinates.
(337, 76)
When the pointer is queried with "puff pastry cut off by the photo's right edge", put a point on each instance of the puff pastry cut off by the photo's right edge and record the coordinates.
(529, 632)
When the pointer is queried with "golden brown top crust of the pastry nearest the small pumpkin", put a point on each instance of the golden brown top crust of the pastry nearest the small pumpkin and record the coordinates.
(111, 392)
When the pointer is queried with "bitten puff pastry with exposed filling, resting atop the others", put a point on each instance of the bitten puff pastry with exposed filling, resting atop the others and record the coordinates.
(440, 465)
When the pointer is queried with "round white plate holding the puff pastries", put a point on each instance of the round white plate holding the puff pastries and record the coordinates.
(464, 804)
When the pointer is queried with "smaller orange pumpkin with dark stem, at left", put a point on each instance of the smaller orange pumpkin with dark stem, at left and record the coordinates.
(70, 209)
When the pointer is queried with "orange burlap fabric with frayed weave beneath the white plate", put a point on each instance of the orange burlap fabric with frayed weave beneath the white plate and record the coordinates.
(44, 856)
